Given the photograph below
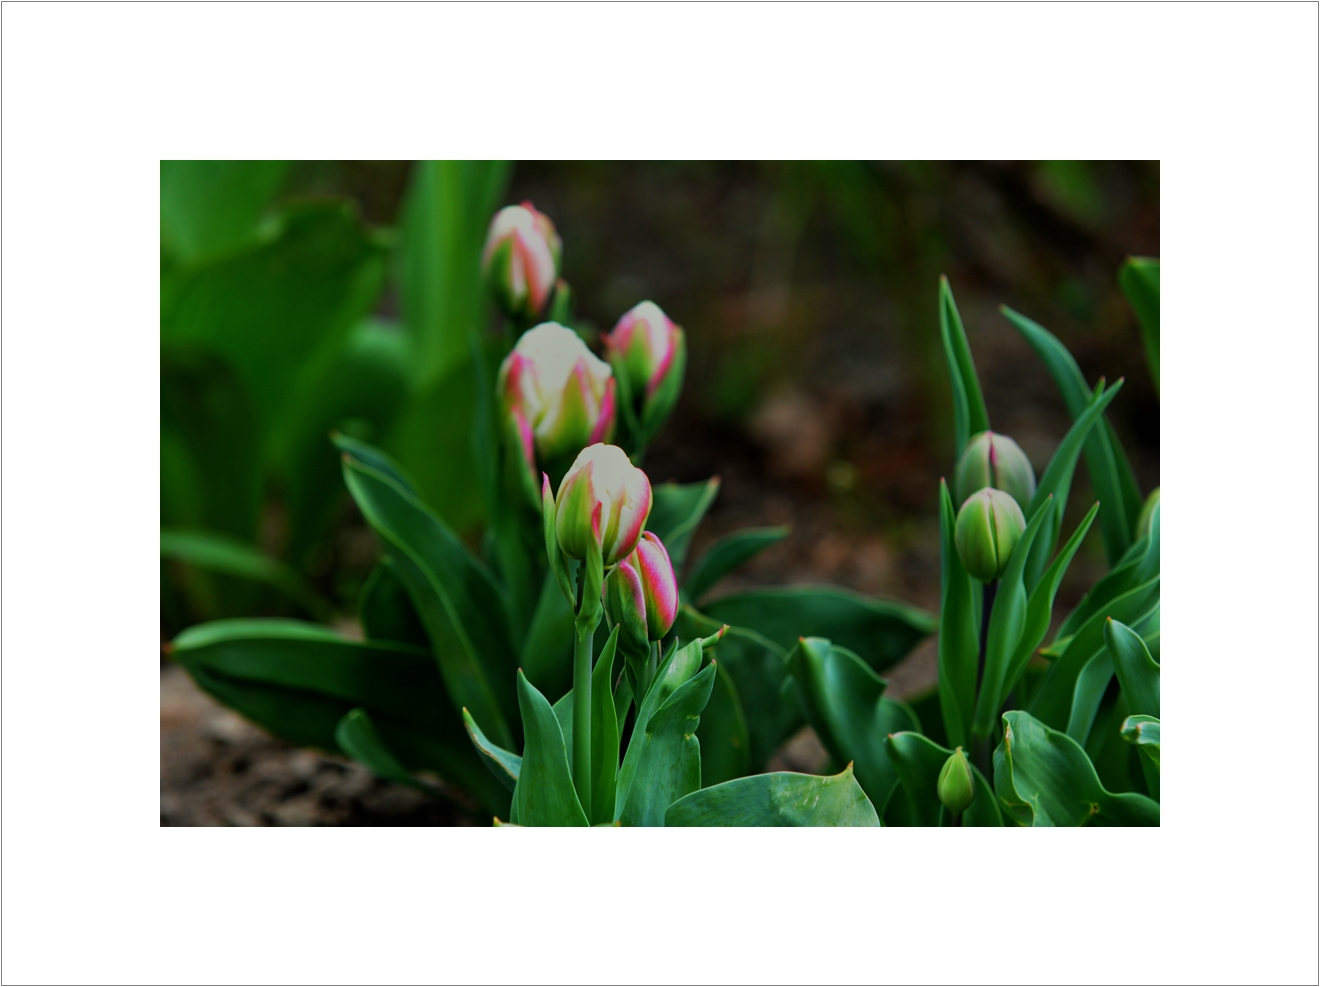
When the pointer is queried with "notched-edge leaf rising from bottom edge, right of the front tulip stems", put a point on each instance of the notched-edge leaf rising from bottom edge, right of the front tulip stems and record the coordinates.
(669, 765)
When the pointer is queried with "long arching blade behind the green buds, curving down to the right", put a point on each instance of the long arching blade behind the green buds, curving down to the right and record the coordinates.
(1107, 465)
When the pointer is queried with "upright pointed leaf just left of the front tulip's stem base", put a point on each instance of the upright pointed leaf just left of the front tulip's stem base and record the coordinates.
(544, 795)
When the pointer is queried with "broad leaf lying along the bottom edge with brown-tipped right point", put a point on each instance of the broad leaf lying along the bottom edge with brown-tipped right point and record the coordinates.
(779, 799)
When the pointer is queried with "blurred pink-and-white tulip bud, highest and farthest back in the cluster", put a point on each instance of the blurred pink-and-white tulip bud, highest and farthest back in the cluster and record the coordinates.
(522, 261)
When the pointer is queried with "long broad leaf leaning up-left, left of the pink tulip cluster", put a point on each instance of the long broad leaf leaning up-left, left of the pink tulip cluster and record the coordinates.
(455, 596)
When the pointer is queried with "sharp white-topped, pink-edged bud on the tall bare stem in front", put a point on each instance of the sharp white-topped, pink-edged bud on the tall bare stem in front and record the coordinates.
(603, 478)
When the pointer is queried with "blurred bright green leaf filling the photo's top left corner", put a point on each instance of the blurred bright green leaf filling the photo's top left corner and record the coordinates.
(211, 208)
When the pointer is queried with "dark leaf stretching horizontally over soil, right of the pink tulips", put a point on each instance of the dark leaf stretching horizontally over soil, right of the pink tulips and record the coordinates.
(880, 631)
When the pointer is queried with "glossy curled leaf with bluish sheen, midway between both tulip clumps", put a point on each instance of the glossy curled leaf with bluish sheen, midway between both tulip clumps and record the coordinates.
(845, 705)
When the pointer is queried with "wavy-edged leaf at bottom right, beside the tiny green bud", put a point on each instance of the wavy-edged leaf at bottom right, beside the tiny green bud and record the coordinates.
(1043, 778)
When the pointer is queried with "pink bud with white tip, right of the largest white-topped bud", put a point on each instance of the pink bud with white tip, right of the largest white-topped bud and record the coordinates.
(650, 353)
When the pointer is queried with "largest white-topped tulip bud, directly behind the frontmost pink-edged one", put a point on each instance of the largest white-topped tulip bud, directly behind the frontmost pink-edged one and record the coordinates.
(558, 397)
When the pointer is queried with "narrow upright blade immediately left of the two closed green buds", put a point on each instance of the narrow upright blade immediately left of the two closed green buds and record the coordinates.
(959, 635)
